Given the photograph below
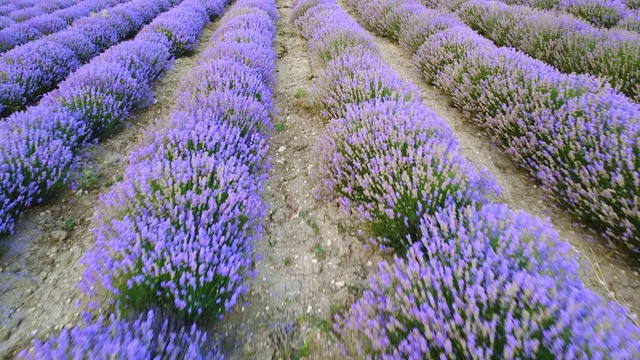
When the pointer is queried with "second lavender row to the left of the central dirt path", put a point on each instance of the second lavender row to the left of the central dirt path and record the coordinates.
(97, 97)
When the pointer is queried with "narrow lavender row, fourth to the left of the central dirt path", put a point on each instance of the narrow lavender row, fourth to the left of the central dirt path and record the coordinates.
(21, 33)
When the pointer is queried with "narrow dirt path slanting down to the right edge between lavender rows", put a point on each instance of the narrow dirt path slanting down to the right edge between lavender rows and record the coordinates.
(604, 269)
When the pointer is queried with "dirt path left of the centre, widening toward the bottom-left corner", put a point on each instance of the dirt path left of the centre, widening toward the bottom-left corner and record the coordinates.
(40, 263)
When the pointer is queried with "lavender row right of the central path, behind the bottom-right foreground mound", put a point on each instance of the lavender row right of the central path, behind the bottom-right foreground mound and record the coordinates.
(388, 173)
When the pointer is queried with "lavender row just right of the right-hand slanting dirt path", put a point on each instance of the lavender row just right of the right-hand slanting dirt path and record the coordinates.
(574, 133)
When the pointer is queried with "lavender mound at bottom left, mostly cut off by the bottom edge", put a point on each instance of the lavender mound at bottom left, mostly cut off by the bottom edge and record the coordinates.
(150, 336)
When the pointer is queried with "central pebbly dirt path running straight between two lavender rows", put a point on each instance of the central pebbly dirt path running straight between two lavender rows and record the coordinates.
(312, 264)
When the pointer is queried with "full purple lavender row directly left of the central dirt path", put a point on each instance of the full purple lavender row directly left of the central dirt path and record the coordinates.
(177, 233)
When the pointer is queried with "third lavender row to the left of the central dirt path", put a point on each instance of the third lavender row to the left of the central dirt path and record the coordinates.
(31, 70)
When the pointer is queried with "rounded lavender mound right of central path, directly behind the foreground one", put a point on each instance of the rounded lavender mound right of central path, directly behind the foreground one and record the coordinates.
(391, 173)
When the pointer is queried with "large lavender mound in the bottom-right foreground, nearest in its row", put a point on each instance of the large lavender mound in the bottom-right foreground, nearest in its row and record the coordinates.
(485, 284)
